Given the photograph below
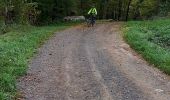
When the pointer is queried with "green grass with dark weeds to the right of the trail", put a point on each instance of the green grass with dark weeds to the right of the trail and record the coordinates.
(152, 40)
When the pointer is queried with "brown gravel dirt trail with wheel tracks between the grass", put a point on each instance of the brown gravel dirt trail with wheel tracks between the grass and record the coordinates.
(83, 63)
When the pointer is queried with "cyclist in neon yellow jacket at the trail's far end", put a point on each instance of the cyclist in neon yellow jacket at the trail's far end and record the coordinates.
(93, 13)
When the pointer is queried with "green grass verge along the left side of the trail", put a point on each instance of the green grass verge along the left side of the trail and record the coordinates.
(16, 48)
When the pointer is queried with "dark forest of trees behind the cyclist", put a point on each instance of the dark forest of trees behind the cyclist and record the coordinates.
(47, 11)
